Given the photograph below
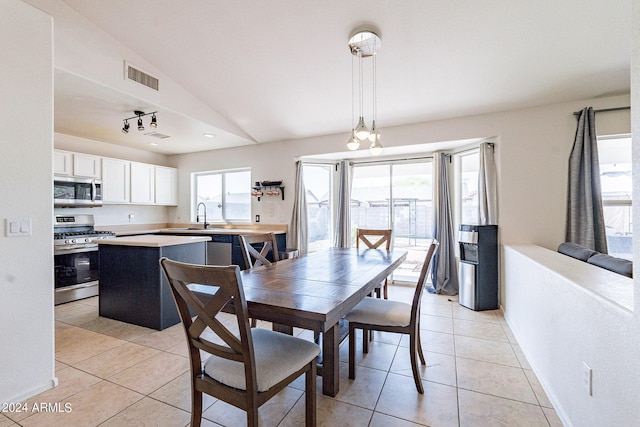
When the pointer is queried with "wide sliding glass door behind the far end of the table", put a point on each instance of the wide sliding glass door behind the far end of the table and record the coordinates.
(396, 195)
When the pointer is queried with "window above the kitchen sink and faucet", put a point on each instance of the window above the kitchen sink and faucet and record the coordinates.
(225, 194)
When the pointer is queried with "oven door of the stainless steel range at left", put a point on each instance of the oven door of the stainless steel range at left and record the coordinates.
(76, 274)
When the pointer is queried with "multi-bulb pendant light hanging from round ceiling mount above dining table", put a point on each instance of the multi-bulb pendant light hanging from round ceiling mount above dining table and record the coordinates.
(364, 44)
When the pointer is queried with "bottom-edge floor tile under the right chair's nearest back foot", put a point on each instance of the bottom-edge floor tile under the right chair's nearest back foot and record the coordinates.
(437, 407)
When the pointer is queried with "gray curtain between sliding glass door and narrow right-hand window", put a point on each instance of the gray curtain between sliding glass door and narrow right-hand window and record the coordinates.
(445, 274)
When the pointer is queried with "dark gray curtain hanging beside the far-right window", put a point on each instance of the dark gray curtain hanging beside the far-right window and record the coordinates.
(585, 218)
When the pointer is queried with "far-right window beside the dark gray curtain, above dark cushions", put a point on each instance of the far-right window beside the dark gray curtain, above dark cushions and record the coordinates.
(614, 154)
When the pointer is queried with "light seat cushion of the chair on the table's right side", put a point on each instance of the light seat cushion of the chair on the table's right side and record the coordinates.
(374, 311)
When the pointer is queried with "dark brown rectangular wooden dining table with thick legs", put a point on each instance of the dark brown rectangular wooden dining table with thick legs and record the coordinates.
(314, 292)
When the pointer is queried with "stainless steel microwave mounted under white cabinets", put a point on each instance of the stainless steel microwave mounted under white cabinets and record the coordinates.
(70, 192)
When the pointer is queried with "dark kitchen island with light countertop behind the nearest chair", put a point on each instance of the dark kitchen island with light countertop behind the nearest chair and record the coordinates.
(132, 286)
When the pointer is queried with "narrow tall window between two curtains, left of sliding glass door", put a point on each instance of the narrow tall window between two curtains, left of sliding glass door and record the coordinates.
(318, 184)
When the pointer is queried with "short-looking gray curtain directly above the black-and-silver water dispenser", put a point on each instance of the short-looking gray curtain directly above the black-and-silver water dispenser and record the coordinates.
(487, 187)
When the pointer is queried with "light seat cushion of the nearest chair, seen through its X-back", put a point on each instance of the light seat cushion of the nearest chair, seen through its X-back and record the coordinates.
(277, 356)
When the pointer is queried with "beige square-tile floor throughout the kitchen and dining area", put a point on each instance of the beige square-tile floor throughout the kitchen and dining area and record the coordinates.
(115, 374)
